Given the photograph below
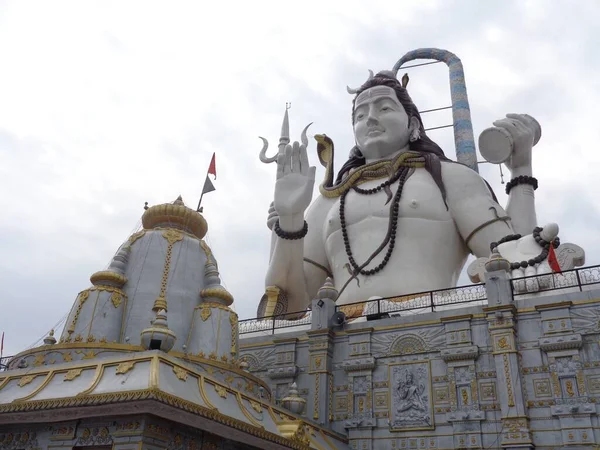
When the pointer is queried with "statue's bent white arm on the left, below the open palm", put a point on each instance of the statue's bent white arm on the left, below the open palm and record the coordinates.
(299, 267)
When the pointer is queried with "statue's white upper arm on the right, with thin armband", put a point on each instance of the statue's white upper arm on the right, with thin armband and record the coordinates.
(479, 218)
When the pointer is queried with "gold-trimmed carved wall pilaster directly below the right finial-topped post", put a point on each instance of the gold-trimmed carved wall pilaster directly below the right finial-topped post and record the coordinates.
(502, 328)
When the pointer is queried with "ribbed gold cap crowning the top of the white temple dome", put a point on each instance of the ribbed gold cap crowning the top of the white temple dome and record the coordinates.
(175, 215)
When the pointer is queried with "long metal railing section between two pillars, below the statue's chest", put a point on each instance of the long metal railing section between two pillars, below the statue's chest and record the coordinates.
(430, 301)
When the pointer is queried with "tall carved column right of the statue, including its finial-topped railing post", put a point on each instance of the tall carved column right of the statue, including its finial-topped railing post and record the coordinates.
(501, 317)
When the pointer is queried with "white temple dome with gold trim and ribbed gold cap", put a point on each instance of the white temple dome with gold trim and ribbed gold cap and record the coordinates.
(165, 268)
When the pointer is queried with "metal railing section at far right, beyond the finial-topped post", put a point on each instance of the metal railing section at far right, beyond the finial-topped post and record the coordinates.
(576, 279)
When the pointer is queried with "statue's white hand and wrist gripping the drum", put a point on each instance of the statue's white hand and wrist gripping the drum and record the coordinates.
(522, 129)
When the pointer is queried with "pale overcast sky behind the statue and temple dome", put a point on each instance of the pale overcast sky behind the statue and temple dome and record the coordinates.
(106, 105)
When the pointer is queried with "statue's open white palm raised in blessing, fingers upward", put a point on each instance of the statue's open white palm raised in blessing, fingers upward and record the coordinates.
(294, 185)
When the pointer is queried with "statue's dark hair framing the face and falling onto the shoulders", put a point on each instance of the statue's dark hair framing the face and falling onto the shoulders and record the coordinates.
(432, 152)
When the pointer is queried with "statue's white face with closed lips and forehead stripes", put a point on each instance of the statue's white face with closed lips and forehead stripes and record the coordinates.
(381, 125)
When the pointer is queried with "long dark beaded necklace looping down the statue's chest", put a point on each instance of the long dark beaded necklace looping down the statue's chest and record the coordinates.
(390, 237)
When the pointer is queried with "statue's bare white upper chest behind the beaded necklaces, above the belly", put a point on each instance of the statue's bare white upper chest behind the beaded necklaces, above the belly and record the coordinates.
(420, 199)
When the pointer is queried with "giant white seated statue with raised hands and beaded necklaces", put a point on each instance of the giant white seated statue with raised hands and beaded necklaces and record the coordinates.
(414, 230)
